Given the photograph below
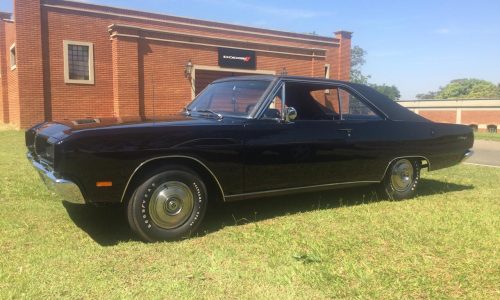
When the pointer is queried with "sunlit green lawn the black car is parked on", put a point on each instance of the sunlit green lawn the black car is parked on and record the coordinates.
(343, 244)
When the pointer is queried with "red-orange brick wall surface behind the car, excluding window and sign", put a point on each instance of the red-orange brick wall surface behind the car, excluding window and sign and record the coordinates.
(130, 72)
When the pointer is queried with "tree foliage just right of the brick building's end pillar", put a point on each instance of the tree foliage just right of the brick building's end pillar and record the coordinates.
(357, 61)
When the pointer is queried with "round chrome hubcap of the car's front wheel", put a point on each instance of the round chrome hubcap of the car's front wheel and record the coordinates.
(171, 204)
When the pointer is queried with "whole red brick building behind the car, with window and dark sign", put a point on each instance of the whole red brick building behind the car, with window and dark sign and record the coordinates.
(61, 59)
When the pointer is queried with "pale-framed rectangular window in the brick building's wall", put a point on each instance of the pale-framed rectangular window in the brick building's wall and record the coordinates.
(78, 62)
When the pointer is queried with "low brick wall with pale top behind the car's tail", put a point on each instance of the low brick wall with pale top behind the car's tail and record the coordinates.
(480, 114)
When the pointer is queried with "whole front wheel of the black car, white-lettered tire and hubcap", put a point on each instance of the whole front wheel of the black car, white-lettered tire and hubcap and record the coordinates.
(167, 206)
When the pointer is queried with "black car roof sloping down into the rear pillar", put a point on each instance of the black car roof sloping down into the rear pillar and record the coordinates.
(390, 108)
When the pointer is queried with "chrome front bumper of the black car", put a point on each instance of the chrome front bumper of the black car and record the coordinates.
(67, 190)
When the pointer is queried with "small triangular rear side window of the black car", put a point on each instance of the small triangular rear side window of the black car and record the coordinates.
(355, 109)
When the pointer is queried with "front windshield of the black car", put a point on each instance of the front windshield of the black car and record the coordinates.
(232, 98)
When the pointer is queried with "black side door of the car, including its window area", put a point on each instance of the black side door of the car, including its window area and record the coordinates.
(308, 151)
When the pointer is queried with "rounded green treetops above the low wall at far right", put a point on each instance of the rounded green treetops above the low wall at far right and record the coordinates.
(469, 88)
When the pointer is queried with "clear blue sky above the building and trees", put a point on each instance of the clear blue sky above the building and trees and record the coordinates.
(417, 46)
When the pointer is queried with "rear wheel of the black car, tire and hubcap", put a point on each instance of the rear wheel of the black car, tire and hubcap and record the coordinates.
(401, 180)
